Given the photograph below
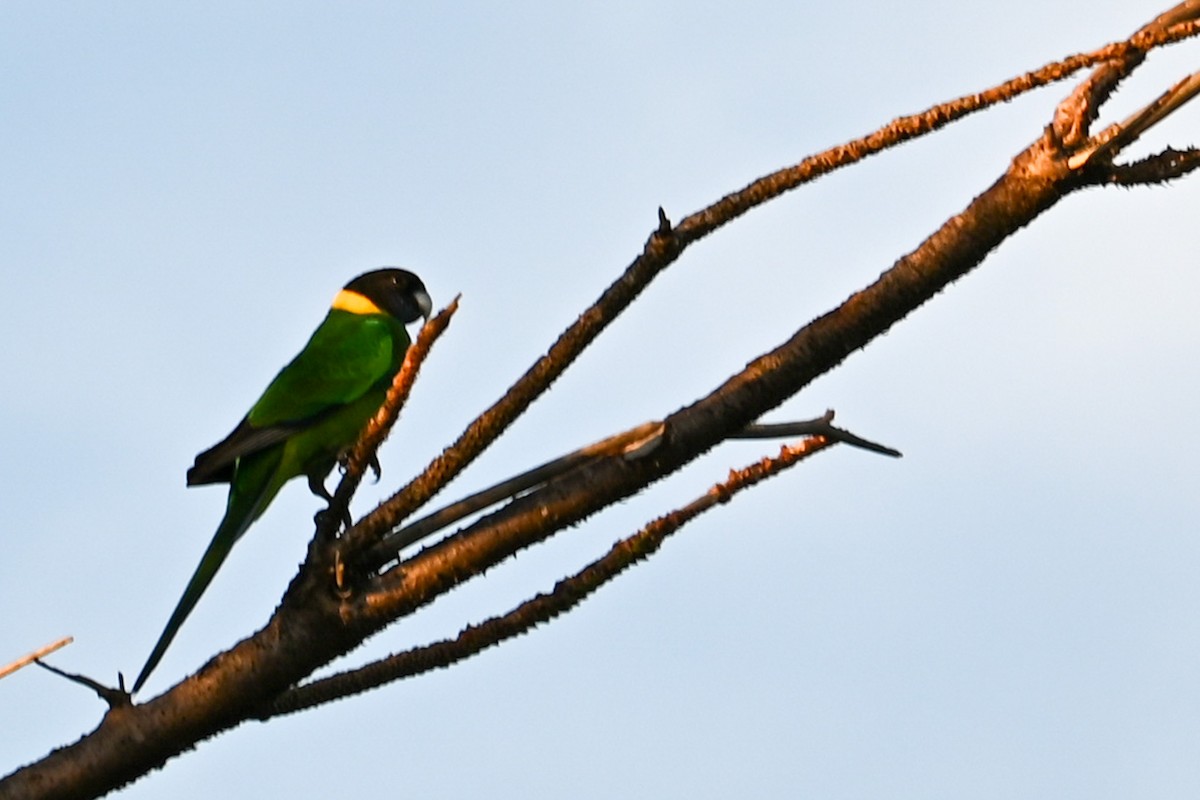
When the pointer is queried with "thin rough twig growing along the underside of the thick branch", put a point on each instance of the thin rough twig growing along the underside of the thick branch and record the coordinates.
(567, 594)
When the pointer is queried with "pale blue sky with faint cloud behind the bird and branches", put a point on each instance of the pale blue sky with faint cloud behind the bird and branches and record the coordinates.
(1010, 611)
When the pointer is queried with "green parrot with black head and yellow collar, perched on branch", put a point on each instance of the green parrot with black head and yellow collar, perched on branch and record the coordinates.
(308, 418)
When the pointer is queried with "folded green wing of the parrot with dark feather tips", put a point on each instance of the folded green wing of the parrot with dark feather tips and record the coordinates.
(346, 357)
